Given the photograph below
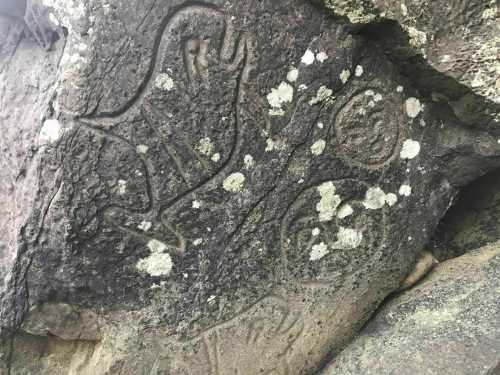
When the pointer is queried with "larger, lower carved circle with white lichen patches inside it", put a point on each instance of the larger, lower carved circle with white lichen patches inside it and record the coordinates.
(328, 231)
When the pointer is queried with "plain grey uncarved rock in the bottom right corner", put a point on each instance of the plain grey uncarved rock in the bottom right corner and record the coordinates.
(448, 324)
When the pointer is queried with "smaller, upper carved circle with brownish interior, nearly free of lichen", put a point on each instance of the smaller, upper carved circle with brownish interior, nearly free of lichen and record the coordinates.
(368, 127)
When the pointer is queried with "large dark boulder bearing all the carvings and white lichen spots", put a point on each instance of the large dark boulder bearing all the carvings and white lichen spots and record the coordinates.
(216, 187)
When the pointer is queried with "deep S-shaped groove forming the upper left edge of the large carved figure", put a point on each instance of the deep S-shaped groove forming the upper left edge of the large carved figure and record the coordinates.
(159, 48)
